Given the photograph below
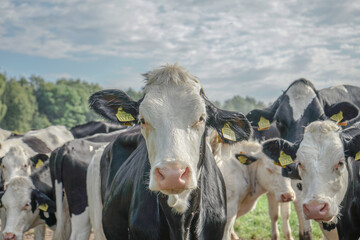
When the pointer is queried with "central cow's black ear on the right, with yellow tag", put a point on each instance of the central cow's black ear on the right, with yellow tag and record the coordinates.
(231, 126)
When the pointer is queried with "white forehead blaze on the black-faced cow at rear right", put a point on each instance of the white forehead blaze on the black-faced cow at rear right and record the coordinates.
(300, 96)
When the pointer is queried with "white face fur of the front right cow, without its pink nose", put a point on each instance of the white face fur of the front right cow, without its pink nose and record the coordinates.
(319, 152)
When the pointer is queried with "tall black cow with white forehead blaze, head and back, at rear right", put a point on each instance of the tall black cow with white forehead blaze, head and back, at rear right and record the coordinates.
(302, 104)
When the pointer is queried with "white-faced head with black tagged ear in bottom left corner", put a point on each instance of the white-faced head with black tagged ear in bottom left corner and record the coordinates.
(22, 204)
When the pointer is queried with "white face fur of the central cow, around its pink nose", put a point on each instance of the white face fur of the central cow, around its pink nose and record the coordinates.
(171, 109)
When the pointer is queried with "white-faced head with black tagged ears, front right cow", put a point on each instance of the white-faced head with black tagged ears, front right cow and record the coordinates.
(321, 157)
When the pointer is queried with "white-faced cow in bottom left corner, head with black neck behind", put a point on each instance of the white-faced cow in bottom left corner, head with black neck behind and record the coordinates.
(28, 202)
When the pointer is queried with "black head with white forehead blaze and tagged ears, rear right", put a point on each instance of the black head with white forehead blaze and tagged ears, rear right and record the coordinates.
(298, 106)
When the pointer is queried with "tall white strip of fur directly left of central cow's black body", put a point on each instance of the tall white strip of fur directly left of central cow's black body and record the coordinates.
(93, 187)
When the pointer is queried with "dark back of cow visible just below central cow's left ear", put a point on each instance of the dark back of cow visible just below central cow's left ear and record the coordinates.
(93, 127)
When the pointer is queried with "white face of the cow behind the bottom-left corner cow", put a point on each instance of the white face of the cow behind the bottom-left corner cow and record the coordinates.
(15, 163)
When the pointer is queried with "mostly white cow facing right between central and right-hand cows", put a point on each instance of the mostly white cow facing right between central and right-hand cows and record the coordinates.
(249, 176)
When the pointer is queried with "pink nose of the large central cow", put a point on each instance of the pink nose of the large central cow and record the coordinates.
(172, 178)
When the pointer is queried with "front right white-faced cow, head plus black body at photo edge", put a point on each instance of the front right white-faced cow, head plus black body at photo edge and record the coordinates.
(330, 176)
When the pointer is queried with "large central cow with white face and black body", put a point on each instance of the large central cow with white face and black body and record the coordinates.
(163, 183)
